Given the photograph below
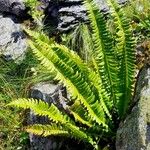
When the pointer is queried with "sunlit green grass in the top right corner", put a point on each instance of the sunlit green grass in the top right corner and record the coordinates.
(139, 12)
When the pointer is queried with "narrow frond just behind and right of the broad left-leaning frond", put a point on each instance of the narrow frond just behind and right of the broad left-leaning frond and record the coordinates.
(92, 77)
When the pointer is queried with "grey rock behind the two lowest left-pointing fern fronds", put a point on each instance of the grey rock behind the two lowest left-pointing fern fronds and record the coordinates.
(50, 93)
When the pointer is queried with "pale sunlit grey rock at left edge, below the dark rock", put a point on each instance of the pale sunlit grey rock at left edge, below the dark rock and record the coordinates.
(12, 40)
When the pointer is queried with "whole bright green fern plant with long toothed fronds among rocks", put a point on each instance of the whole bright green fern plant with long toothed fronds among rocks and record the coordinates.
(96, 92)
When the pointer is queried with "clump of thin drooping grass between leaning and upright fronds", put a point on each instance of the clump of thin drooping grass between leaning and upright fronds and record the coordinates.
(76, 41)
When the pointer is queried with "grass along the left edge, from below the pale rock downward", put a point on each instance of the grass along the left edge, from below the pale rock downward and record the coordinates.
(15, 80)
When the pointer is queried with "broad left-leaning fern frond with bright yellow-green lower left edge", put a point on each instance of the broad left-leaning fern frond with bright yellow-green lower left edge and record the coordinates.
(73, 78)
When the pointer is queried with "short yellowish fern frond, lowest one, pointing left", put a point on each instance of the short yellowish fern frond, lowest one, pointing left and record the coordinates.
(47, 130)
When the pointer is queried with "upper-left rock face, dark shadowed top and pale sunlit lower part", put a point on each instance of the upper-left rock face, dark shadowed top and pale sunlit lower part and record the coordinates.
(12, 39)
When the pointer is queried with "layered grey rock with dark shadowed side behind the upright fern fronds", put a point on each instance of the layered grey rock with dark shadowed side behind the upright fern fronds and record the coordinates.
(64, 15)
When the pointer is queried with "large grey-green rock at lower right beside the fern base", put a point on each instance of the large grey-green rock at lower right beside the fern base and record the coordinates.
(134, 132)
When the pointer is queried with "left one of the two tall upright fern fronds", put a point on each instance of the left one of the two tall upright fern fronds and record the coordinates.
(104, 54)
